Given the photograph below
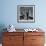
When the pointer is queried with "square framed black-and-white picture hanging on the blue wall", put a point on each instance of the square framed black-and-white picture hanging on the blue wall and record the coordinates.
(26, 13)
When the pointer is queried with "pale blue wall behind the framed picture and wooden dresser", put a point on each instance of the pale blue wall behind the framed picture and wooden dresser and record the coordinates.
(9, 13)
